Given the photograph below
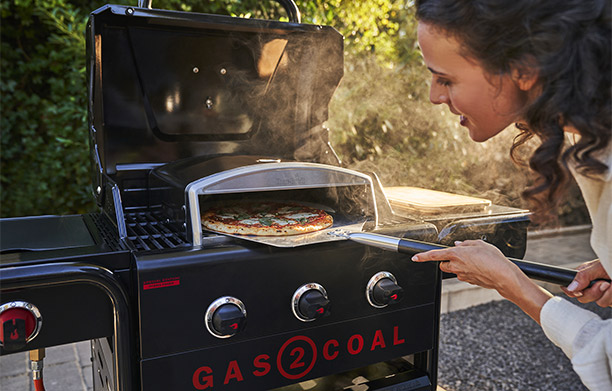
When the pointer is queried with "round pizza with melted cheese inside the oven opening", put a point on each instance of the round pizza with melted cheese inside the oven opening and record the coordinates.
(265, 218)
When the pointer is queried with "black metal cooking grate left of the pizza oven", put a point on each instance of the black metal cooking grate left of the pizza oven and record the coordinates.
(150, 230)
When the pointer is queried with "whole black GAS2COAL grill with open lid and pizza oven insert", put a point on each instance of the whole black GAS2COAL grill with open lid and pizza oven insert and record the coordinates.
(190, 110)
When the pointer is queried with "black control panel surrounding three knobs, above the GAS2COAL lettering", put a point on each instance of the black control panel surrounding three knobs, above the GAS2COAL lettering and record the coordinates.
(265, 279)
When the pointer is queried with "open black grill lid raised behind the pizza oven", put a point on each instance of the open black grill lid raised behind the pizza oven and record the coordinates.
(167, 85)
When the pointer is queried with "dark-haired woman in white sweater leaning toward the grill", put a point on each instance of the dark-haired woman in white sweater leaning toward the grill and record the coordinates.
(544, 65)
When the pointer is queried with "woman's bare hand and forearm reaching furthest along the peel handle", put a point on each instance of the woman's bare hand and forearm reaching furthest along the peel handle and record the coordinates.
(483, 264)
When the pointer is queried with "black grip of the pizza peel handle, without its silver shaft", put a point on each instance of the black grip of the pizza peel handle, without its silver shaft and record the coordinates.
(538, 271)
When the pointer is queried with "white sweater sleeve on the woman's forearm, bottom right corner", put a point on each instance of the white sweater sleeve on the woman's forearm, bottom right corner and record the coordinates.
(584, 337)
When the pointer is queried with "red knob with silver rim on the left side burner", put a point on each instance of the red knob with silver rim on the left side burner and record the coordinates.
(19, 323)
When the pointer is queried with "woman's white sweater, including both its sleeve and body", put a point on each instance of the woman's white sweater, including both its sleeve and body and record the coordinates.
(582, 335)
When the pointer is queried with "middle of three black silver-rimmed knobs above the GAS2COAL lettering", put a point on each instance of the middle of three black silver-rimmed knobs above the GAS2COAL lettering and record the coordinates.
(310, 302)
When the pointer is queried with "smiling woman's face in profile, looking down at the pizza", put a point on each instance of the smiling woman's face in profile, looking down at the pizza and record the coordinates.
(486, 104)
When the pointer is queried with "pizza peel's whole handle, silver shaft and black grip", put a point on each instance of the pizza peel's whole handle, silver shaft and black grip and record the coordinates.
(537, 271)
